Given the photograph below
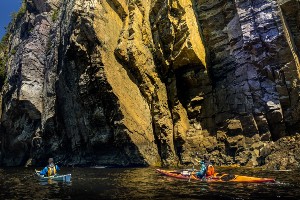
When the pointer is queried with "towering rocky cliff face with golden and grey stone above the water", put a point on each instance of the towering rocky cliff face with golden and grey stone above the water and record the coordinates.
(131, 82)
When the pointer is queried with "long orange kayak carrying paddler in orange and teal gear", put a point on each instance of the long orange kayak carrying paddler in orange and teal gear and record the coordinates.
(217, 177)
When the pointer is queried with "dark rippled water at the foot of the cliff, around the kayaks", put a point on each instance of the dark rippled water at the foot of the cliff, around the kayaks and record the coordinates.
(144, 183)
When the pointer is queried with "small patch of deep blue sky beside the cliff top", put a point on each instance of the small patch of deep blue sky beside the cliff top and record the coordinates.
(6, 8)
